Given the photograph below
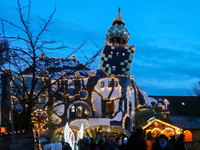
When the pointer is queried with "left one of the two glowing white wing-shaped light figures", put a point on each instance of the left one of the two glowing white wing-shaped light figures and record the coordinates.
(69, 136)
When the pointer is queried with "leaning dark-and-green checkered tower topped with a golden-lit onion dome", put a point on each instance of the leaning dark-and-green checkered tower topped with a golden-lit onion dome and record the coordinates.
(117, 56)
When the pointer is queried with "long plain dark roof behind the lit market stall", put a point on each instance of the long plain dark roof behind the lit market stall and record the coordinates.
(183, 105)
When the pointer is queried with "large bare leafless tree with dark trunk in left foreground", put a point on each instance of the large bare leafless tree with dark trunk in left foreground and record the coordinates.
(27, 89)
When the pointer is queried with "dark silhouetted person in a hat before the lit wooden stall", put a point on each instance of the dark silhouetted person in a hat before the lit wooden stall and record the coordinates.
(163, 144)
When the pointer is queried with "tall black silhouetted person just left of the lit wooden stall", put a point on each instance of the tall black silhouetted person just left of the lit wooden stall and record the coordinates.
(137, 140)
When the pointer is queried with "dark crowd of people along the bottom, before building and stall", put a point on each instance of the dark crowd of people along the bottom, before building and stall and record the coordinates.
(136, 141)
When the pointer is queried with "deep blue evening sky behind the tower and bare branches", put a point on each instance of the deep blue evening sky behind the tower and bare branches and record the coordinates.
(166, 35)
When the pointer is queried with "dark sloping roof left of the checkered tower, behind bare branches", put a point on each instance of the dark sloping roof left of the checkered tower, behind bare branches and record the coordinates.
(58, 66)
